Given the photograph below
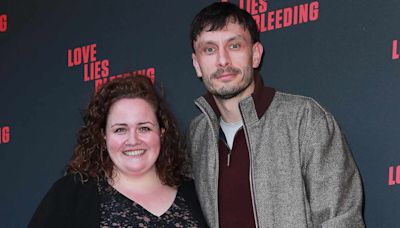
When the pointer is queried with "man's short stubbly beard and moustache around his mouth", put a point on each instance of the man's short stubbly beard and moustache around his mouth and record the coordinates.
(228, 92)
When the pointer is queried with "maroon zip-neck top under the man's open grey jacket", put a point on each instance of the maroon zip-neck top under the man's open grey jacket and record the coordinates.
(234, 198)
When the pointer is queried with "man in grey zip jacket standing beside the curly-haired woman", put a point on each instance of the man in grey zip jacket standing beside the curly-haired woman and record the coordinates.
(263, 158)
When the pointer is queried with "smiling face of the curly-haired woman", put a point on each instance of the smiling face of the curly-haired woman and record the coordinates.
(133, 137)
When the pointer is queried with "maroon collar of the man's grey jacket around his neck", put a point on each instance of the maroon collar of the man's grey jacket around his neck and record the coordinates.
(261, 99)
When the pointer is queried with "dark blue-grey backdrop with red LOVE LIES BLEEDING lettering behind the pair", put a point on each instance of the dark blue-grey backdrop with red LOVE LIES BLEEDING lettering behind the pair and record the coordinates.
(55, 54)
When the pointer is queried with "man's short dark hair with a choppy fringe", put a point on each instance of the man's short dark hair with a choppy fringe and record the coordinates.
(217, 15)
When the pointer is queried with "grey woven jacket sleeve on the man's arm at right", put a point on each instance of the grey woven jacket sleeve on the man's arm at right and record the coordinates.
(332, 181)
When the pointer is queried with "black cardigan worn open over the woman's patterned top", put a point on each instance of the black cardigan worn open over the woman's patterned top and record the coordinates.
(71, 203)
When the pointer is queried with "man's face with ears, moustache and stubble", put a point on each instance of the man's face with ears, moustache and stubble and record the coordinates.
(225, 60)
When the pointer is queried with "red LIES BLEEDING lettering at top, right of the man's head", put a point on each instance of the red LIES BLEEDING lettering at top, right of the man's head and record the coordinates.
(268, 20)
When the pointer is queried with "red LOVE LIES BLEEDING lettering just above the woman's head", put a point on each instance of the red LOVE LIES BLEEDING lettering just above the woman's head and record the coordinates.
(98, 70)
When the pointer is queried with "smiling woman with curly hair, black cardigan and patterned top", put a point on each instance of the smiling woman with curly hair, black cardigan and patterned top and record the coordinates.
(128, 167)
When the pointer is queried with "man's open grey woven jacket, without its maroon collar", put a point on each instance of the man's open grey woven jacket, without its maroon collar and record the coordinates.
(302, 173)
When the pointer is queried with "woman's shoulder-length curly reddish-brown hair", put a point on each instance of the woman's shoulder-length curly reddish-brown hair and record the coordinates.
(91, 159)
